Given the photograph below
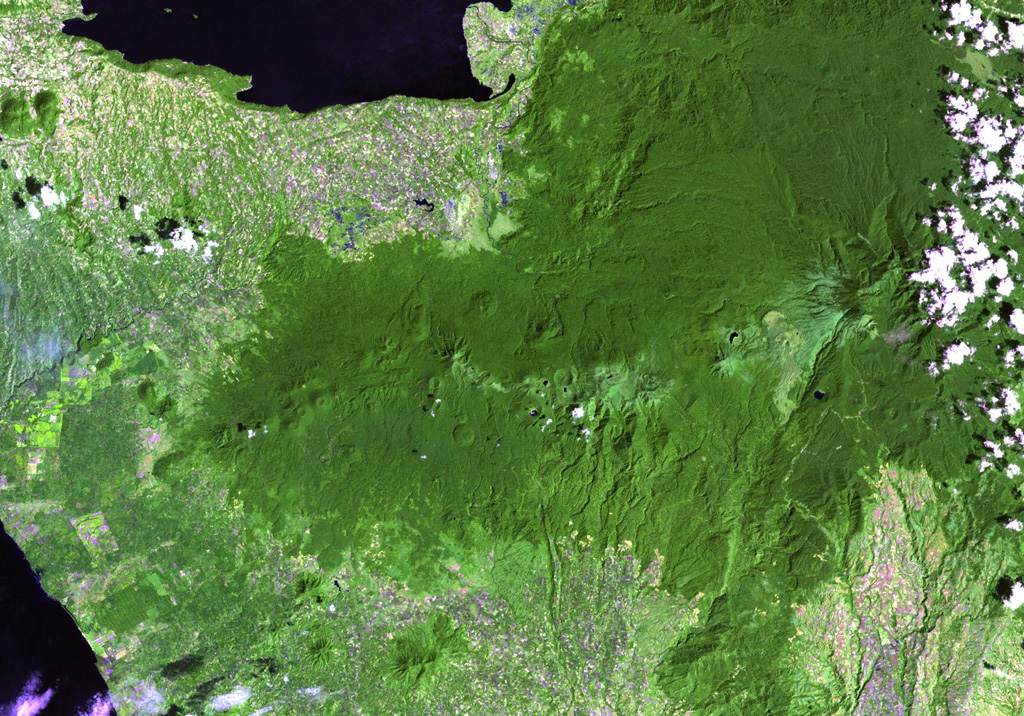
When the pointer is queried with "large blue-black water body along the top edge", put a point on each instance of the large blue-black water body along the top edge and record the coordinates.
(304, 54)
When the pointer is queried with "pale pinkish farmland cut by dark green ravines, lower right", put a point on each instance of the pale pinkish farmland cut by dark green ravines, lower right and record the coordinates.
(858, 638)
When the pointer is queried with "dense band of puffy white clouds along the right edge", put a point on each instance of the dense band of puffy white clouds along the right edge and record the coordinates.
(974, 265)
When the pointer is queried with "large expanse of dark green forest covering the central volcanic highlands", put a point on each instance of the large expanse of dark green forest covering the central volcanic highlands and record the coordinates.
(722, 213)
